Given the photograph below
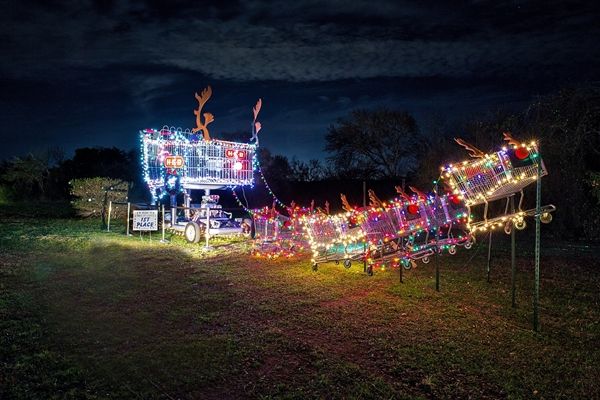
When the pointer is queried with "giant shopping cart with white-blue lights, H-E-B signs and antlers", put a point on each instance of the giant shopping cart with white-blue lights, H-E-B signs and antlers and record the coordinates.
(176, 160)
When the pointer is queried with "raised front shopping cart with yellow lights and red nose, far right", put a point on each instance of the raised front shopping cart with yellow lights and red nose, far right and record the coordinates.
(496, 176)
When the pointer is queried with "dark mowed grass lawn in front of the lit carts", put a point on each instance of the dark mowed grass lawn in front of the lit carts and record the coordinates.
(91, 314)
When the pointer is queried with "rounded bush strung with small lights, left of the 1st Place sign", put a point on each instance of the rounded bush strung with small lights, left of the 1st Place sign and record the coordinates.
(91, 196)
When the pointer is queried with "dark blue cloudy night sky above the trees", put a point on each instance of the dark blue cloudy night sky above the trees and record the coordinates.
(92, 73)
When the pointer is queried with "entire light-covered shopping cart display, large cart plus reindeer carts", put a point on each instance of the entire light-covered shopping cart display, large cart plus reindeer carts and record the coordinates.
(397, 232)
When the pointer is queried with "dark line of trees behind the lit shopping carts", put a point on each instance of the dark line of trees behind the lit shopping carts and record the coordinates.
(381, 145)
